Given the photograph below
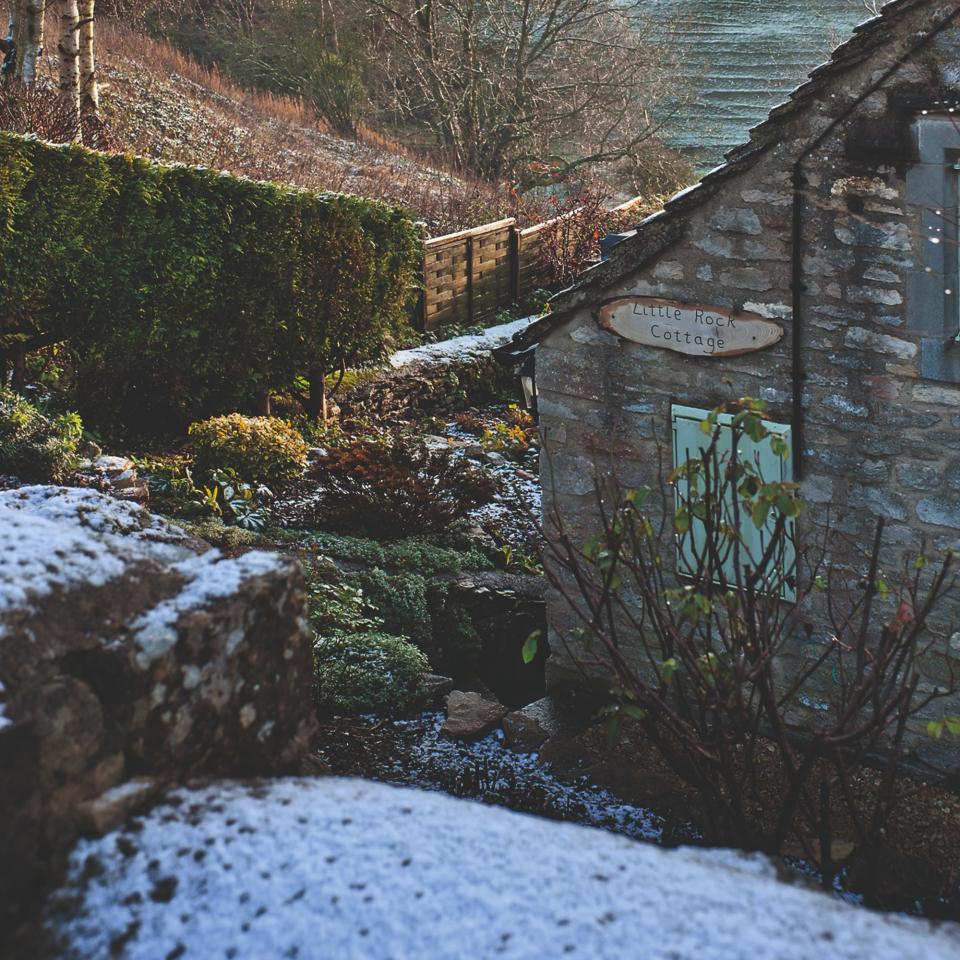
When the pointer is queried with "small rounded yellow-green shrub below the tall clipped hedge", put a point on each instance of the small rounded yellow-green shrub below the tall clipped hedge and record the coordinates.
(257, 449)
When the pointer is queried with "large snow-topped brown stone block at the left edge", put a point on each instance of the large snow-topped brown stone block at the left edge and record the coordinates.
(129, 649)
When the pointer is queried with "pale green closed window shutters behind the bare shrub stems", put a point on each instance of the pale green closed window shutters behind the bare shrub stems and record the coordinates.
(689, 442)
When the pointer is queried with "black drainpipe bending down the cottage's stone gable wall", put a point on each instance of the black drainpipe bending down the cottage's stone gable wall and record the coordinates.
(799, 182)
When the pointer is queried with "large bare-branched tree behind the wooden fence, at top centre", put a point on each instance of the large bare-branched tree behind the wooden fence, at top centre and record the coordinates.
(502, 83)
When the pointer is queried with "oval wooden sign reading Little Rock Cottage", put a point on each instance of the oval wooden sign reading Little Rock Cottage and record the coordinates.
(698, 331)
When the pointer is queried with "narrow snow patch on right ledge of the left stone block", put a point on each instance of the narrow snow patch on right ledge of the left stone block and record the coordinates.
(208, 577)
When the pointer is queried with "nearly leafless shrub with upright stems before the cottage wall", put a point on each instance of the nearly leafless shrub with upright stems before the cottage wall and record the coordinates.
(702, 652)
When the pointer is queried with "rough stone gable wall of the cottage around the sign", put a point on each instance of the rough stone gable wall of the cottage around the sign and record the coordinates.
(880, 439)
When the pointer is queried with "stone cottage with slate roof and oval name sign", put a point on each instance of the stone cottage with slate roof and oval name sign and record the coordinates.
(817, 269)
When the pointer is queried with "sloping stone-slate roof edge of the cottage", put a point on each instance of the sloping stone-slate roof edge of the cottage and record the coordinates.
(661, 229)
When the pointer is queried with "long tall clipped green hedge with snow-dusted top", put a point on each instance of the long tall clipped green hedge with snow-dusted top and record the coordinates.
(181, 291)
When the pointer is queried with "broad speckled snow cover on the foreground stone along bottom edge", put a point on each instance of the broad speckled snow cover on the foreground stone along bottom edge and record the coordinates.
(337, 869)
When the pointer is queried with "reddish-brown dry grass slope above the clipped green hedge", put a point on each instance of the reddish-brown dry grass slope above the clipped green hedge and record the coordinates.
(159, 102)
